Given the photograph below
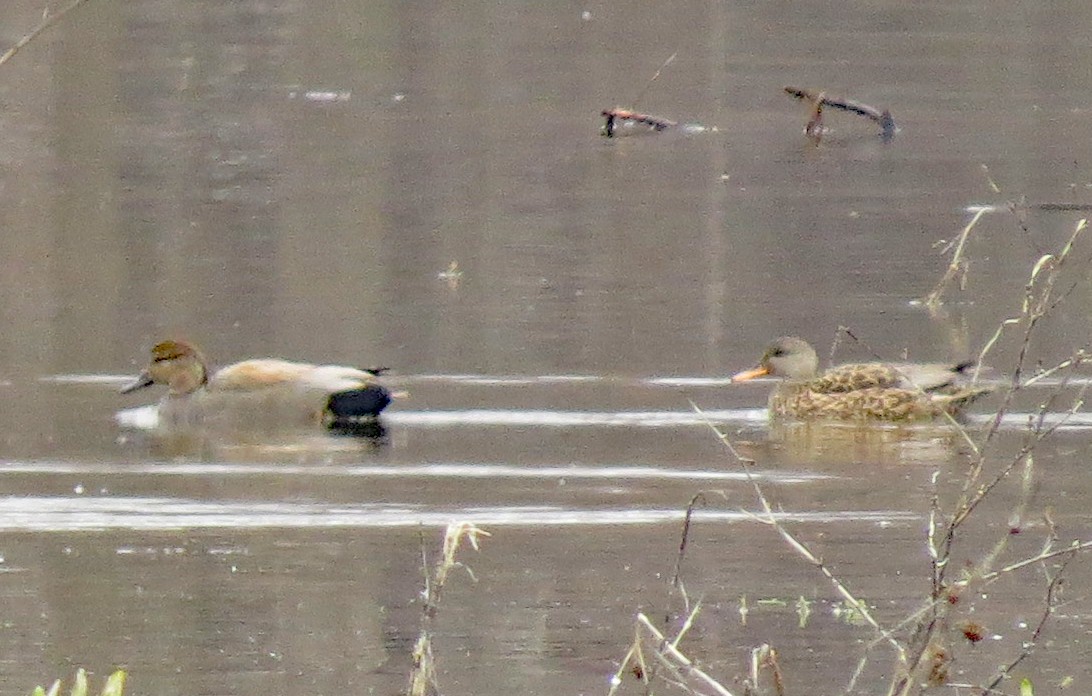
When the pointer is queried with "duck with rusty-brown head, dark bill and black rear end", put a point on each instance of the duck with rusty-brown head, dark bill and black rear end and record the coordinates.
(260, 393)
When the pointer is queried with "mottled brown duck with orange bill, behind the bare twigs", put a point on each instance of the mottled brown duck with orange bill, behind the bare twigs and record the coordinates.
(865, 392)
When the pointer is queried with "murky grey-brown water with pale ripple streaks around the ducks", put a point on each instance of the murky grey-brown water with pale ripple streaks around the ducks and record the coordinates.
(289, 179)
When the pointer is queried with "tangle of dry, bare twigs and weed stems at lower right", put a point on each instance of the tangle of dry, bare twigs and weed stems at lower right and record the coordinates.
(923, 647)
